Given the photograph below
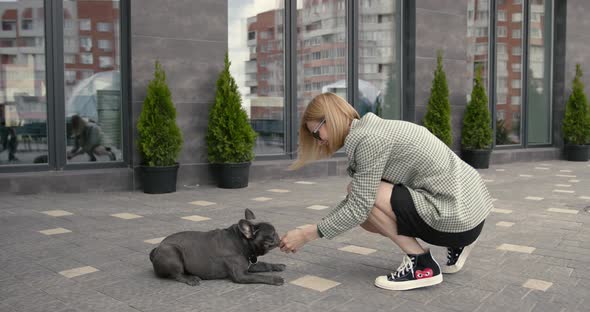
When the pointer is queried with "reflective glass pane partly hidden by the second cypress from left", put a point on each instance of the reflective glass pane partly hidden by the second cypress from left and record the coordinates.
(256, 52)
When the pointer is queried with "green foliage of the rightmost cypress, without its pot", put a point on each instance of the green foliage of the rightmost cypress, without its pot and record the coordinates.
(576, 123)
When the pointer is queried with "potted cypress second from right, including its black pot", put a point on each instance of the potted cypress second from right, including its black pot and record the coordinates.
(476, 134)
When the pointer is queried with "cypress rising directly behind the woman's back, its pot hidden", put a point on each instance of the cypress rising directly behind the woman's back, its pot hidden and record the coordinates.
(438, 111)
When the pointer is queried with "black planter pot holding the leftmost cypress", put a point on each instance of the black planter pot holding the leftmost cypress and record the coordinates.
(159, 180)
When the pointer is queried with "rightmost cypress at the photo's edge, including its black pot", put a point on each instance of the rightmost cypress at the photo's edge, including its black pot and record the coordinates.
(576, 123)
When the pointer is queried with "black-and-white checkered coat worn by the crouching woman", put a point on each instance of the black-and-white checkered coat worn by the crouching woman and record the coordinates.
(449, 195)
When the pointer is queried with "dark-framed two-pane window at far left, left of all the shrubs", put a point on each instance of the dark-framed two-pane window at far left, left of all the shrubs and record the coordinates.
(91, 126)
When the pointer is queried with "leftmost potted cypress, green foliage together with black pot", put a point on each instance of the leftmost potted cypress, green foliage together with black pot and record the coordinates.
(160, 139)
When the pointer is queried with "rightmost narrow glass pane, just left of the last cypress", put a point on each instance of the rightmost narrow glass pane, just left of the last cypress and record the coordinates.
(538, 100)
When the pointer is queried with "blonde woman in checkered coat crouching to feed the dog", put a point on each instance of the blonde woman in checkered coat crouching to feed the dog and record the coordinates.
(406, 184)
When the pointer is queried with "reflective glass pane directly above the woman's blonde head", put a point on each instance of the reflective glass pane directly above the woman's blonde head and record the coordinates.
(321, 50)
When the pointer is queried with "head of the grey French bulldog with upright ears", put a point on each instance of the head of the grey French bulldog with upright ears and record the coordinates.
(262, 235)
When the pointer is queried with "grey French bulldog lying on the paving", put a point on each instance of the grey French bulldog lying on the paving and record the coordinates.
(192, 256)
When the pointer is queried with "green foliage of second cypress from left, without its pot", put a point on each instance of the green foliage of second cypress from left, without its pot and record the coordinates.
(230, 137)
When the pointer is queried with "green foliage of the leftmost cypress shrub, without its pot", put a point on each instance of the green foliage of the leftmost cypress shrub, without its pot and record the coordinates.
(160, 139)
